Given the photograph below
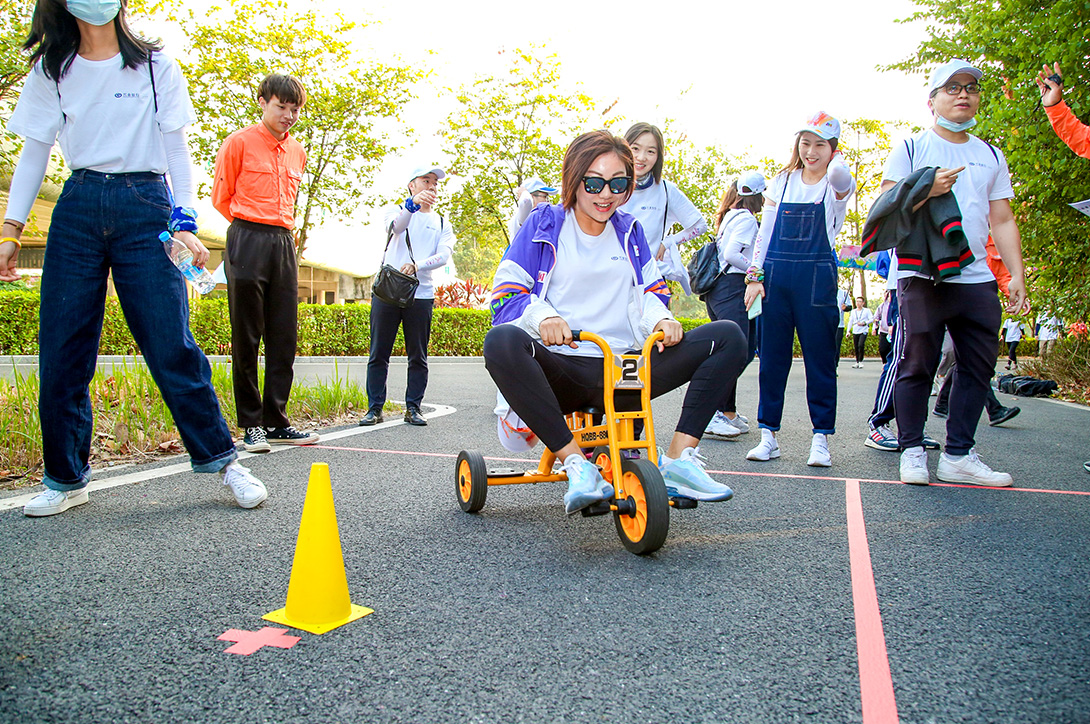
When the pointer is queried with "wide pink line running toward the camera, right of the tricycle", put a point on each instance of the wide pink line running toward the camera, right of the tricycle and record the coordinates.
(876, 683)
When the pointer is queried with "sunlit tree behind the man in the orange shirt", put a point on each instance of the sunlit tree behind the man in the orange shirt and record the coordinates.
(233, 47)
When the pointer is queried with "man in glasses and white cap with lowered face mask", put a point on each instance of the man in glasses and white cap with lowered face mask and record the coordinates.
(968, 305)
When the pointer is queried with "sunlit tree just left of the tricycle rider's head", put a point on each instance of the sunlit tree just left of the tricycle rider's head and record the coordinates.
(502, 136)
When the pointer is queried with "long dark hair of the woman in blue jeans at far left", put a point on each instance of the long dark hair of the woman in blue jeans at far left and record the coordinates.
(55, 40)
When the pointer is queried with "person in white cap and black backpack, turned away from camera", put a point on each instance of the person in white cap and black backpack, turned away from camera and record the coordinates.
(735, 239)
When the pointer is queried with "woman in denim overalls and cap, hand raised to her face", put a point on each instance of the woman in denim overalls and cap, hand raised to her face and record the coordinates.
(795, 273)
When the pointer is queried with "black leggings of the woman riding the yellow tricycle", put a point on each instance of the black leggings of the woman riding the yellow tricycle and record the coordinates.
(542, 387)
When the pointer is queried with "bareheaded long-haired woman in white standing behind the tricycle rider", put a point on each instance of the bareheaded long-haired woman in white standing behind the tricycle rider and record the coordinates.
(659, 206)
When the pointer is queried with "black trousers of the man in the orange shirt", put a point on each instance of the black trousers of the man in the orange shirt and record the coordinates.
(263, 300)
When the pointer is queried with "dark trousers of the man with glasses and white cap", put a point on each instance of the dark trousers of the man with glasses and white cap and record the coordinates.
(972, 313)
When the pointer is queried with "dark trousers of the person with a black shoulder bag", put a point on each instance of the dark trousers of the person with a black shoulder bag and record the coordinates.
(416, 322)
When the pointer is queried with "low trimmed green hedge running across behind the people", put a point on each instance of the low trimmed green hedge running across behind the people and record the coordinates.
(324, 330)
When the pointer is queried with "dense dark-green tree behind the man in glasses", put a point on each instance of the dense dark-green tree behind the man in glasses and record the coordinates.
(1010, 42)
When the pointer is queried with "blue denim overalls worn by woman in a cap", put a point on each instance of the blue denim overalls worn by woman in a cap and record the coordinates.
(801, 296)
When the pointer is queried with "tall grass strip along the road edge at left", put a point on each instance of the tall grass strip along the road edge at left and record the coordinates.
(132, 423)
